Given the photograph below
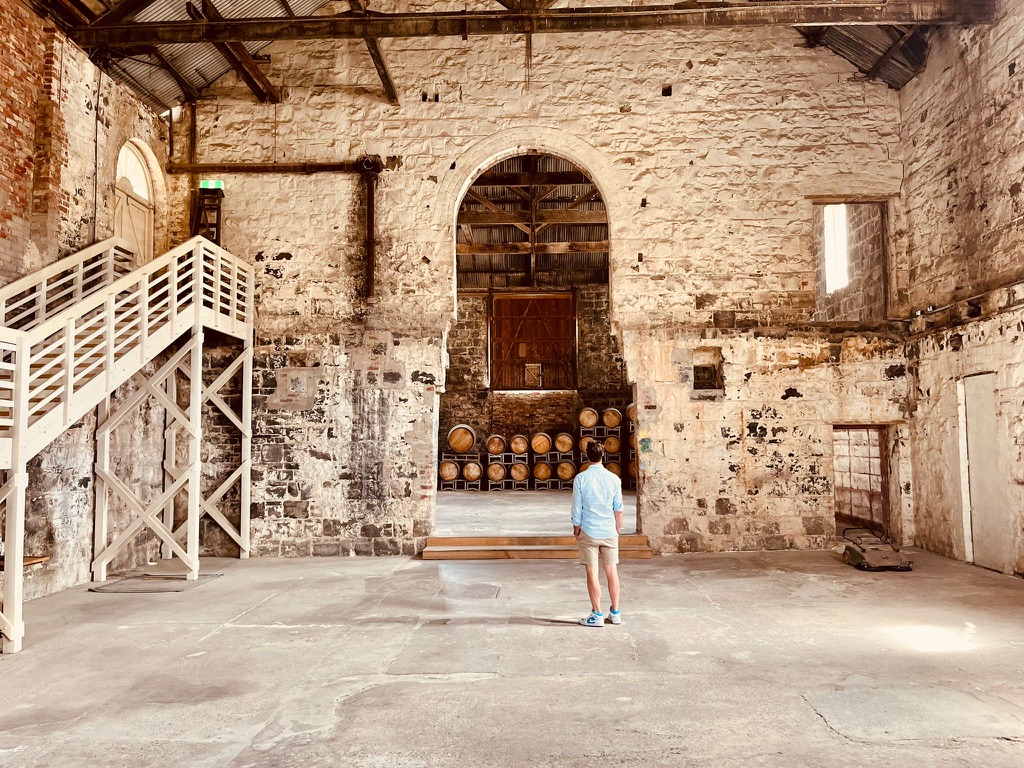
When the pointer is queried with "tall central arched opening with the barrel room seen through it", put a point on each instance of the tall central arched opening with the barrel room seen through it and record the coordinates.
(531, 349)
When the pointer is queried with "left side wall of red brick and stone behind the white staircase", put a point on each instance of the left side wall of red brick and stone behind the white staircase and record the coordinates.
(58, 166)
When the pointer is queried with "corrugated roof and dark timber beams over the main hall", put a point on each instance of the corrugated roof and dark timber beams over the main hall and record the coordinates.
(169, 57)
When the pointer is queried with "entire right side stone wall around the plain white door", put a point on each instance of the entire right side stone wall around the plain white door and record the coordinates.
(962, 136)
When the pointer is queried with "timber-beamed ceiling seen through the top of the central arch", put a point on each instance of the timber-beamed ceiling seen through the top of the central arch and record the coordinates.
(532, 222)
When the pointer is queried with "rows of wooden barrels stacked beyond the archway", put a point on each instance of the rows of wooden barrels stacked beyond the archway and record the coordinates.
(541, 460)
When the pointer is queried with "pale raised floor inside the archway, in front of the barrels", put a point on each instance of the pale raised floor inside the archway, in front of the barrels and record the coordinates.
(516, 514)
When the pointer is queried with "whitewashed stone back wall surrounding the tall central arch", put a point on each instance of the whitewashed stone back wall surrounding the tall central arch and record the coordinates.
(711, 225)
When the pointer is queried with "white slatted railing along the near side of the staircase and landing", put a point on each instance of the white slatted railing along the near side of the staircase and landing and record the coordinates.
(78, 349)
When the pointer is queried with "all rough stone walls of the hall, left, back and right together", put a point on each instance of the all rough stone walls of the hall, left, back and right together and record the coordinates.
(711, 188)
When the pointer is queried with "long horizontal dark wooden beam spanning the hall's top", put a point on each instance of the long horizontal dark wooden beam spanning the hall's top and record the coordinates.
(573, 21)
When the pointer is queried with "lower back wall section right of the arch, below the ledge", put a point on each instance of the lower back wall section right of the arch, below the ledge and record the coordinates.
(752, 468)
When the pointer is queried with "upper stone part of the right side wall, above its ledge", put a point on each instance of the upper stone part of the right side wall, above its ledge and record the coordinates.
(962, 129)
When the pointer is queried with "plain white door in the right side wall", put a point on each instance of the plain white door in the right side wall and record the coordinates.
(992, 518)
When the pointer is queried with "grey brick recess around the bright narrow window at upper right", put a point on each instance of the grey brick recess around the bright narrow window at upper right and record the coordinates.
(865, 297)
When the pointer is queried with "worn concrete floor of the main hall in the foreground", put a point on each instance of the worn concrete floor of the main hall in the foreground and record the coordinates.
(783, 661)
